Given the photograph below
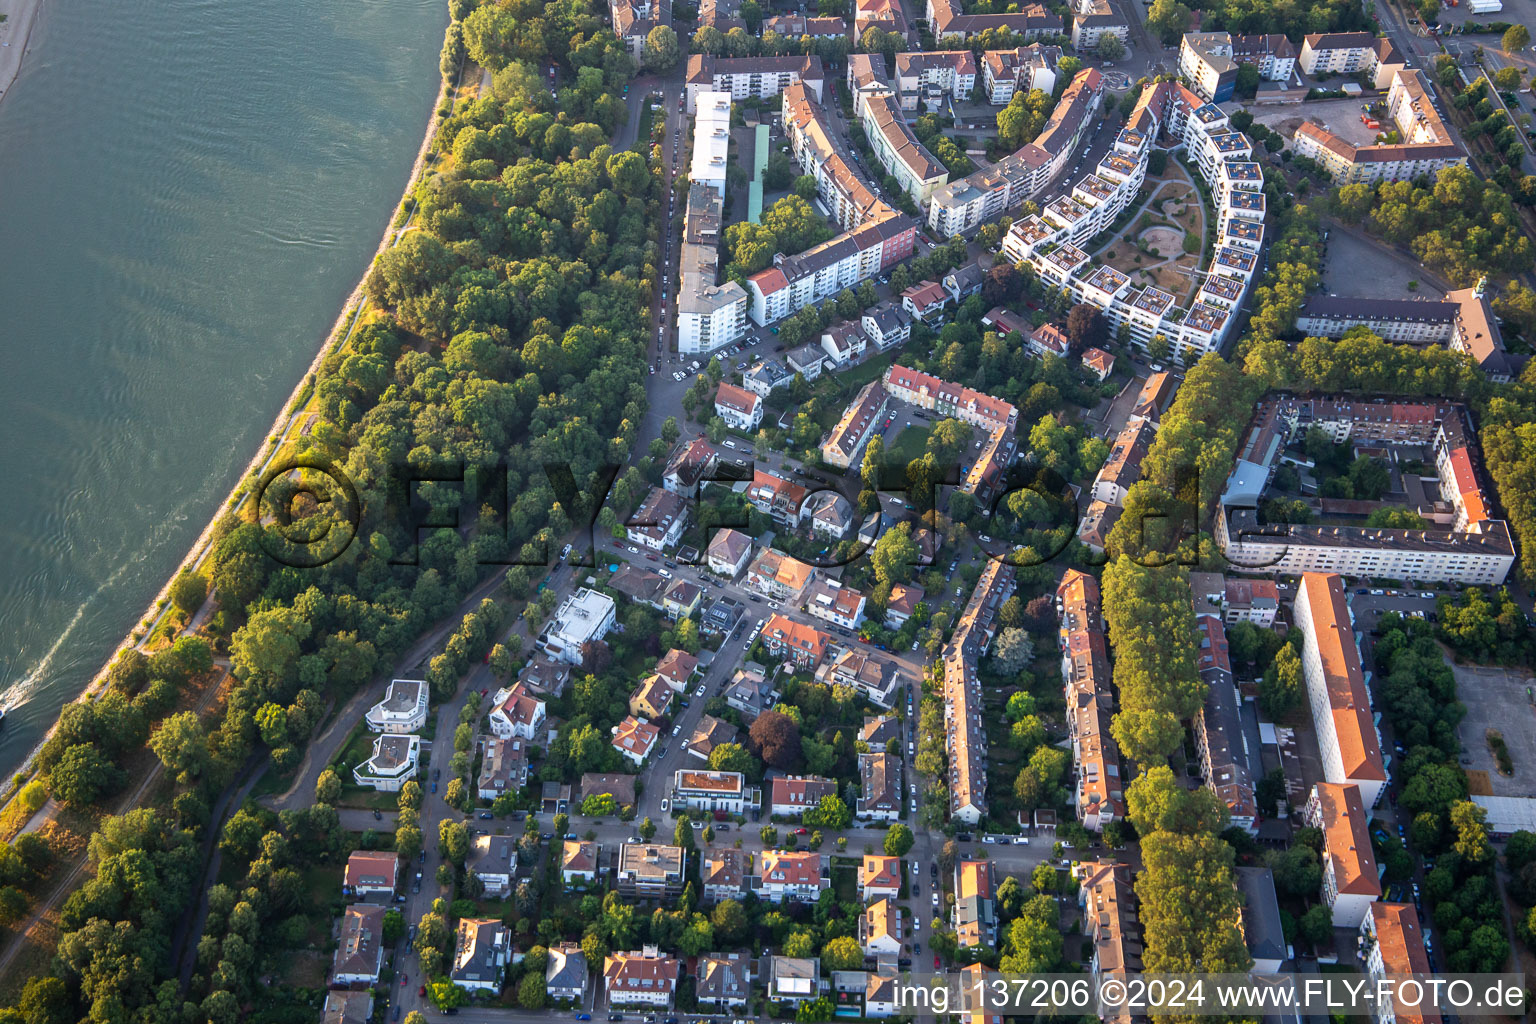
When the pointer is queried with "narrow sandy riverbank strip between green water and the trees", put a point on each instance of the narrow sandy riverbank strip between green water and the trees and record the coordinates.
(159, 607)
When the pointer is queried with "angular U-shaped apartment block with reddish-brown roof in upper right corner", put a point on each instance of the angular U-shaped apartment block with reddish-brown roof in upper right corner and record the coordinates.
(1426, 150)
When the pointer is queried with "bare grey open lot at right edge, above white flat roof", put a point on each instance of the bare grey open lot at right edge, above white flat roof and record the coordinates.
(1497, 699)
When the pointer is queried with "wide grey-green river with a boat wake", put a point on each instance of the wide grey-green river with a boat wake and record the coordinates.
(190, 190)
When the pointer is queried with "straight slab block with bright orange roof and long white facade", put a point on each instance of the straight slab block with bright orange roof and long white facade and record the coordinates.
(1342, 715)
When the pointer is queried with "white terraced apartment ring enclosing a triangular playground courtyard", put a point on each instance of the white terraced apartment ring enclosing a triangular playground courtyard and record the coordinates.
(1050, 242)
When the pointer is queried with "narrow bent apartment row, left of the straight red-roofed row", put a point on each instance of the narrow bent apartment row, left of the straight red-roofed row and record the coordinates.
(965, 733)
